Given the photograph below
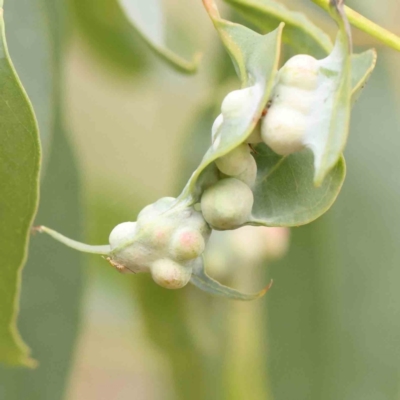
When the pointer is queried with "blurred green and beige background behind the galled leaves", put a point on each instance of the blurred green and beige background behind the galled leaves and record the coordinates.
(121, 129)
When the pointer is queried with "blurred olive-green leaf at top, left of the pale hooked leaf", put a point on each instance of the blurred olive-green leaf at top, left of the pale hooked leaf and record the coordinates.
(105, 28)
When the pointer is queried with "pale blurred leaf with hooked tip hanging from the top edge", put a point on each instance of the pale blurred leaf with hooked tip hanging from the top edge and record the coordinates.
(146, 18)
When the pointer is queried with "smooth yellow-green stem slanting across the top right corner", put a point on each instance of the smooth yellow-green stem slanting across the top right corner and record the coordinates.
(364, 24)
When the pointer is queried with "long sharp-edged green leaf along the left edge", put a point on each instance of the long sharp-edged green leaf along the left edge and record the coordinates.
(19, 174)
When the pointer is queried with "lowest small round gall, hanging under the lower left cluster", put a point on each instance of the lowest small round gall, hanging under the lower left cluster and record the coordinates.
(169, 274)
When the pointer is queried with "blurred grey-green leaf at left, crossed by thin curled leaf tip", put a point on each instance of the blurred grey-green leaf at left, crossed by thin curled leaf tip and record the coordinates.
(52, 285)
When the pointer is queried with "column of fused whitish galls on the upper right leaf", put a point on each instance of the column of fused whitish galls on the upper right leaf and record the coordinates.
(283, 128)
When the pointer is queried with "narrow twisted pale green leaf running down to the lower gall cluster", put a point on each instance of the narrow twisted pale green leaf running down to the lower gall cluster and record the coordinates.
(255, 58)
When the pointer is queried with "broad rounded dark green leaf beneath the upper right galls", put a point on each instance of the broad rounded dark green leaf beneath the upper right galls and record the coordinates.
(284, 193)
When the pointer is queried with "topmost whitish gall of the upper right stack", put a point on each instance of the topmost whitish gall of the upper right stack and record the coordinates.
(300, 71)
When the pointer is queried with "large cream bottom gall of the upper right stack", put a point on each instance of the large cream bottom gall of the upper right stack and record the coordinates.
(283, 130)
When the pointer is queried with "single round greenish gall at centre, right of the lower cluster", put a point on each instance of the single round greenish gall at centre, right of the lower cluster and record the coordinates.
(227, 204)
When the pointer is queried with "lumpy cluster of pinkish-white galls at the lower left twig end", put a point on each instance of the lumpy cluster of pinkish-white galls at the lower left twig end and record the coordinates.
(166, 241)
